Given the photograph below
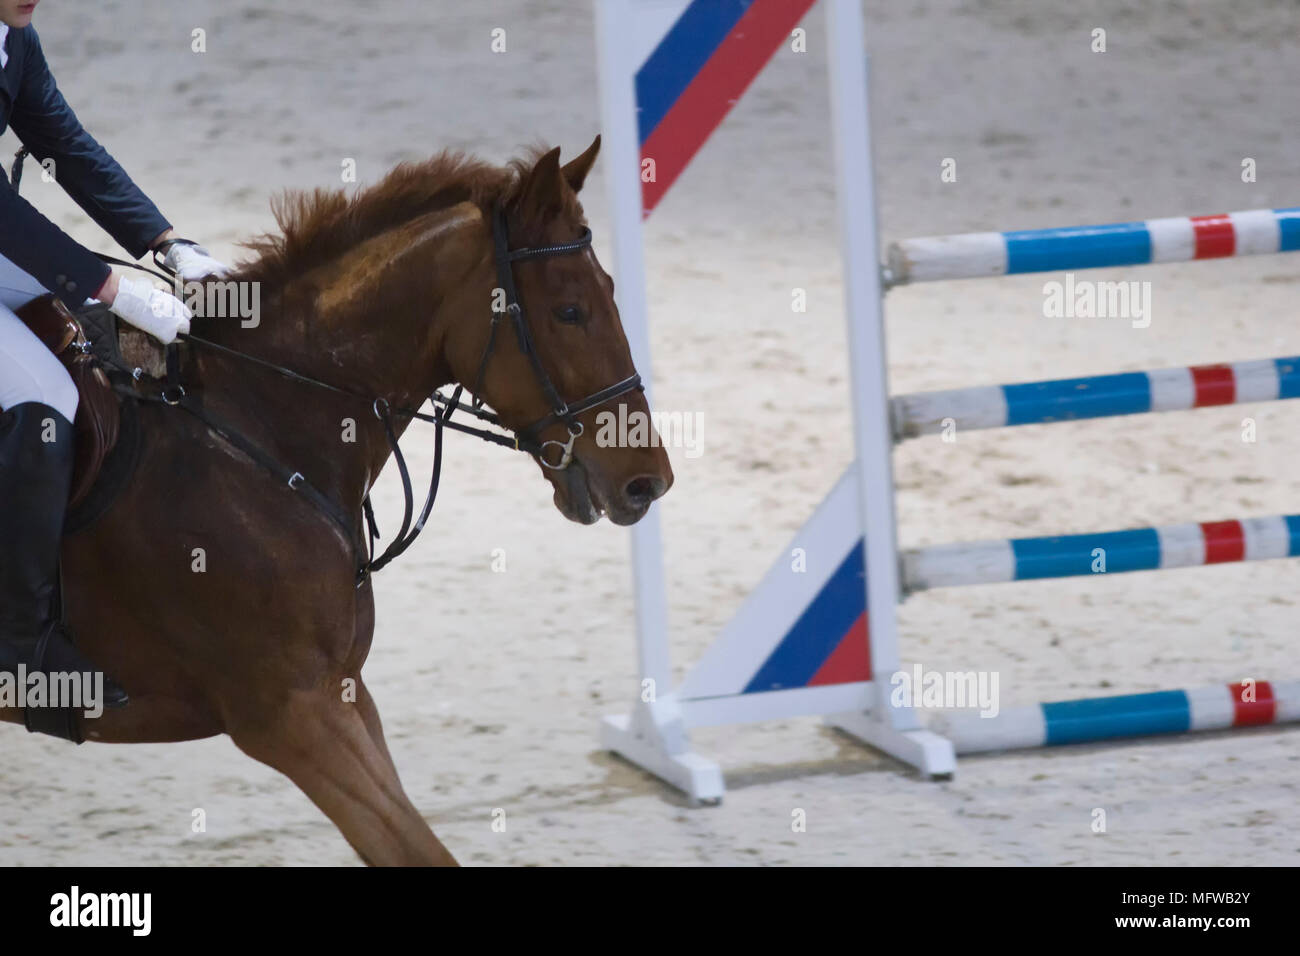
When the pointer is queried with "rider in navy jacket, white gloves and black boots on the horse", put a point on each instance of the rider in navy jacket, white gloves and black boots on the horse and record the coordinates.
(38, 399)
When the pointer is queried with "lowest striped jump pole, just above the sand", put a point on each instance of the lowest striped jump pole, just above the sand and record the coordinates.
(1223, 707)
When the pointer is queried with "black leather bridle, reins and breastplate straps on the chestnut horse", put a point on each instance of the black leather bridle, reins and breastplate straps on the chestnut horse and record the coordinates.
(527, 440)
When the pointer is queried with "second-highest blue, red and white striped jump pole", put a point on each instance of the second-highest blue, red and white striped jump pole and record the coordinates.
(1095, 397)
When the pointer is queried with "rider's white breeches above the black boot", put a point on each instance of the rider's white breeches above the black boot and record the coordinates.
(29, 371)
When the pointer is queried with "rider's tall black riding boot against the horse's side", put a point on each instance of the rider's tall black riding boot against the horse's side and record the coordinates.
(36, 475)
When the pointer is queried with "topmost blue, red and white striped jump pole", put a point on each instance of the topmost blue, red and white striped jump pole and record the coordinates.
(1182, 239)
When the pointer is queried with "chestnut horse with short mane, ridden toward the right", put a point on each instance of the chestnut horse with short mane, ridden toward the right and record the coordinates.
(391, 296)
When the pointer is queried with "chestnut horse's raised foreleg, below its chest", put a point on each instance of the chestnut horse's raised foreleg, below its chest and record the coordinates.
(326, 747)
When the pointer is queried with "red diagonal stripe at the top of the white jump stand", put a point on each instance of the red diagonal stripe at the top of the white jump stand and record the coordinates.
(716, 90)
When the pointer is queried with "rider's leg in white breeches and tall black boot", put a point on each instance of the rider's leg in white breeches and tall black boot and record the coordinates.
(38, 403)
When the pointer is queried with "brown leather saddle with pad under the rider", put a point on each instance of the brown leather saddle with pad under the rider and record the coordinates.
(102, 418)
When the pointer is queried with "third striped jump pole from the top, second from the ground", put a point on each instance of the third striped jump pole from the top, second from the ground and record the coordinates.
(1111, 552)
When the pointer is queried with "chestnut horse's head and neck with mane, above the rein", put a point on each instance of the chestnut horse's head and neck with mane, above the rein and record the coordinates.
(456, 271)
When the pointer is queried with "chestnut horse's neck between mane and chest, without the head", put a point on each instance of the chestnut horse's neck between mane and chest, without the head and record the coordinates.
(370, 325)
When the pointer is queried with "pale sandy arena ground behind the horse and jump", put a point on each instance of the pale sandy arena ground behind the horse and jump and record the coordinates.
(492, 685)
